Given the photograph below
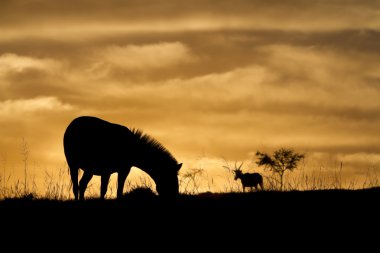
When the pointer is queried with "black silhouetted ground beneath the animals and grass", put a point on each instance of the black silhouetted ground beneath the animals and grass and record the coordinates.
(316, 217)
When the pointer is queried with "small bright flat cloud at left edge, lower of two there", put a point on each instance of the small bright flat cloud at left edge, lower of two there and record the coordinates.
(25, 106)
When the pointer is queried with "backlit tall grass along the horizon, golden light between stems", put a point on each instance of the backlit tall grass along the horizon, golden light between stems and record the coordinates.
(58, 186)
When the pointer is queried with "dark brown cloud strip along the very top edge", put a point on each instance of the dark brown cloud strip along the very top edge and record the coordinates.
(133, 9)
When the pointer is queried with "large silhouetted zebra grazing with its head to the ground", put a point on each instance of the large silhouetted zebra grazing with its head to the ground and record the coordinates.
(101, 148)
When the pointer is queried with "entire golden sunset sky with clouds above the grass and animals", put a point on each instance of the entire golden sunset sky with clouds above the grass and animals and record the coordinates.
(211, 80)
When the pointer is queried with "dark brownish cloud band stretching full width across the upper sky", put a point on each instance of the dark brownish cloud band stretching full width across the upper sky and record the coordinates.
(219, 51)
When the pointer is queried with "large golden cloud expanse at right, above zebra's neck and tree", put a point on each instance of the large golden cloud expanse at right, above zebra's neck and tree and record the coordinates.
(273, 104)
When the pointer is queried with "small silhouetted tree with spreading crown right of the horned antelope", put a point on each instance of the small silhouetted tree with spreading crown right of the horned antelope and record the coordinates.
(281, 161)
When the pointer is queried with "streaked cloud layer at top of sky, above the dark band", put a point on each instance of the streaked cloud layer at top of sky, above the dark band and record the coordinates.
(95, 19)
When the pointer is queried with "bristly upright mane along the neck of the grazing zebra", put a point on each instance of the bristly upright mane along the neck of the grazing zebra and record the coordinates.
(152, 146)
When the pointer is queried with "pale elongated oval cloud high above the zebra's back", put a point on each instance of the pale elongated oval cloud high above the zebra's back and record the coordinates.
(142, 57)
